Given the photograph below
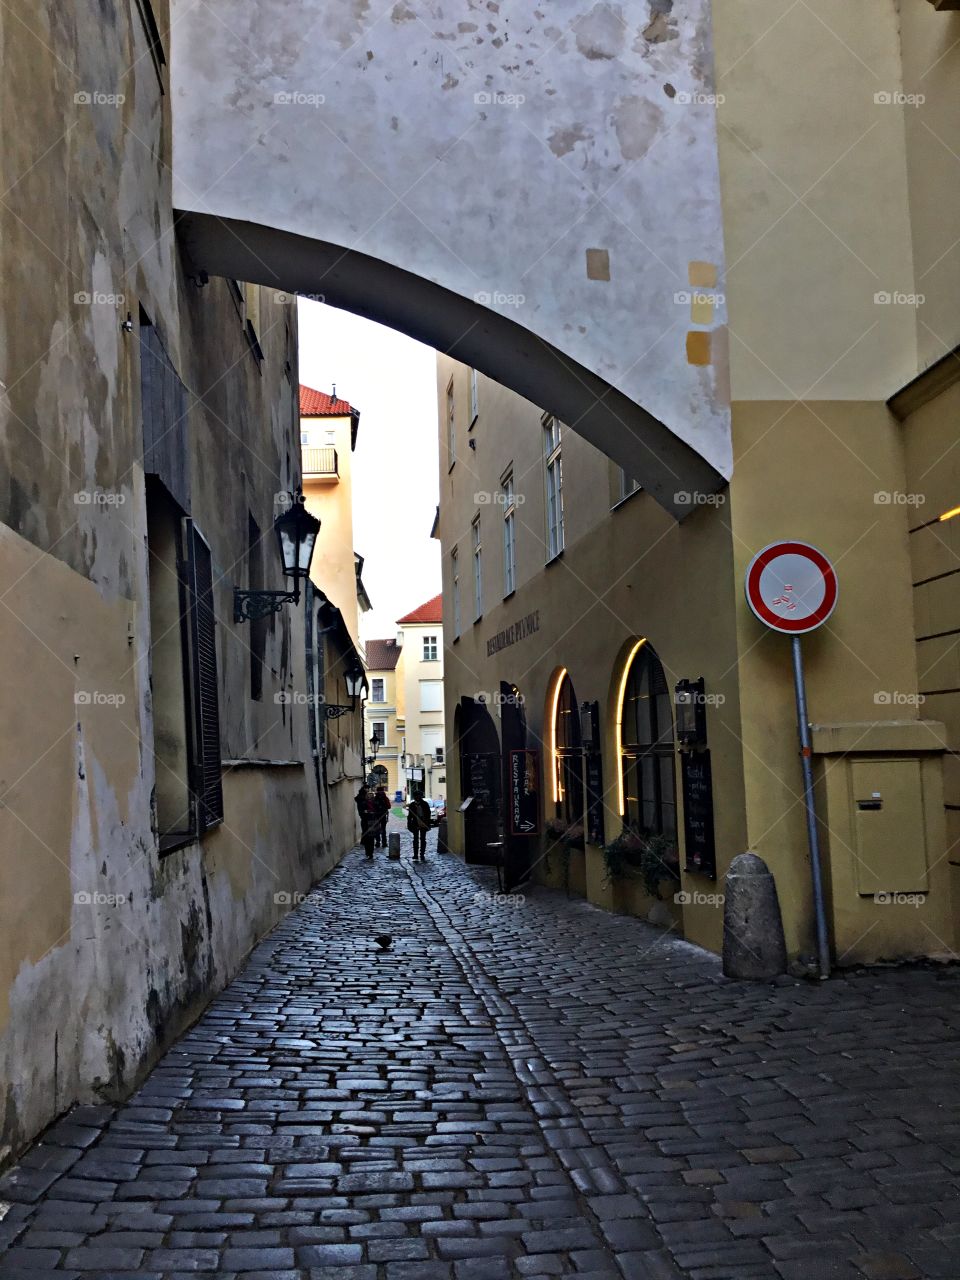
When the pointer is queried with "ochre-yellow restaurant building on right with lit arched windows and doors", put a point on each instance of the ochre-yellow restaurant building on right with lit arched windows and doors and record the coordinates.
(579, 606)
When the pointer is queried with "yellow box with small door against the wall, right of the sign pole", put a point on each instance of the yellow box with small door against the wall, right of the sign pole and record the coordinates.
(880, 804)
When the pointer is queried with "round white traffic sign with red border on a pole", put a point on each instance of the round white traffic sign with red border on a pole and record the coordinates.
(792, 587)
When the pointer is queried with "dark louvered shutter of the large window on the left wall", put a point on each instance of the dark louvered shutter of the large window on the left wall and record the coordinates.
(207, 693)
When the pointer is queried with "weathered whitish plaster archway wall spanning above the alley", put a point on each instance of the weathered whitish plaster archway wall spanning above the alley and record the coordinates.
(554, 164)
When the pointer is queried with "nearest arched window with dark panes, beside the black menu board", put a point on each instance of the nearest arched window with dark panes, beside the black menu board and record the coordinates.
(647, 747)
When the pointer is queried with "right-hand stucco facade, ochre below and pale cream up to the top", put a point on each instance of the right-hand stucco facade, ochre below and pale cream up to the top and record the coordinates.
(840, 340)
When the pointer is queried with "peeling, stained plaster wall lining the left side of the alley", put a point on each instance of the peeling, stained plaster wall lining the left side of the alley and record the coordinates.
(107, 949)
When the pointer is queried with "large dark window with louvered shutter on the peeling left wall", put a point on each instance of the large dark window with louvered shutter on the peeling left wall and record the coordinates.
(184, 675)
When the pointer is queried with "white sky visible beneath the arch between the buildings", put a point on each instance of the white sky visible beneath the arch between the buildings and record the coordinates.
(392, 381)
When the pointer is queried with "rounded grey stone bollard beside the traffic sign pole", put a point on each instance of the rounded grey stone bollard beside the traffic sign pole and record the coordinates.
(753, 930)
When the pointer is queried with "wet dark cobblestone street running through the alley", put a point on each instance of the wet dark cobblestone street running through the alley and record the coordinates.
(527, 1089)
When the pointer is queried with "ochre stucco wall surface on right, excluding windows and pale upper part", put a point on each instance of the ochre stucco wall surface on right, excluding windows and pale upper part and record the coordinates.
(628, 574)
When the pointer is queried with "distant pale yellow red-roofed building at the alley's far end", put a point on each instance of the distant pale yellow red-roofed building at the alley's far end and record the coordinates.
(406, 703)
